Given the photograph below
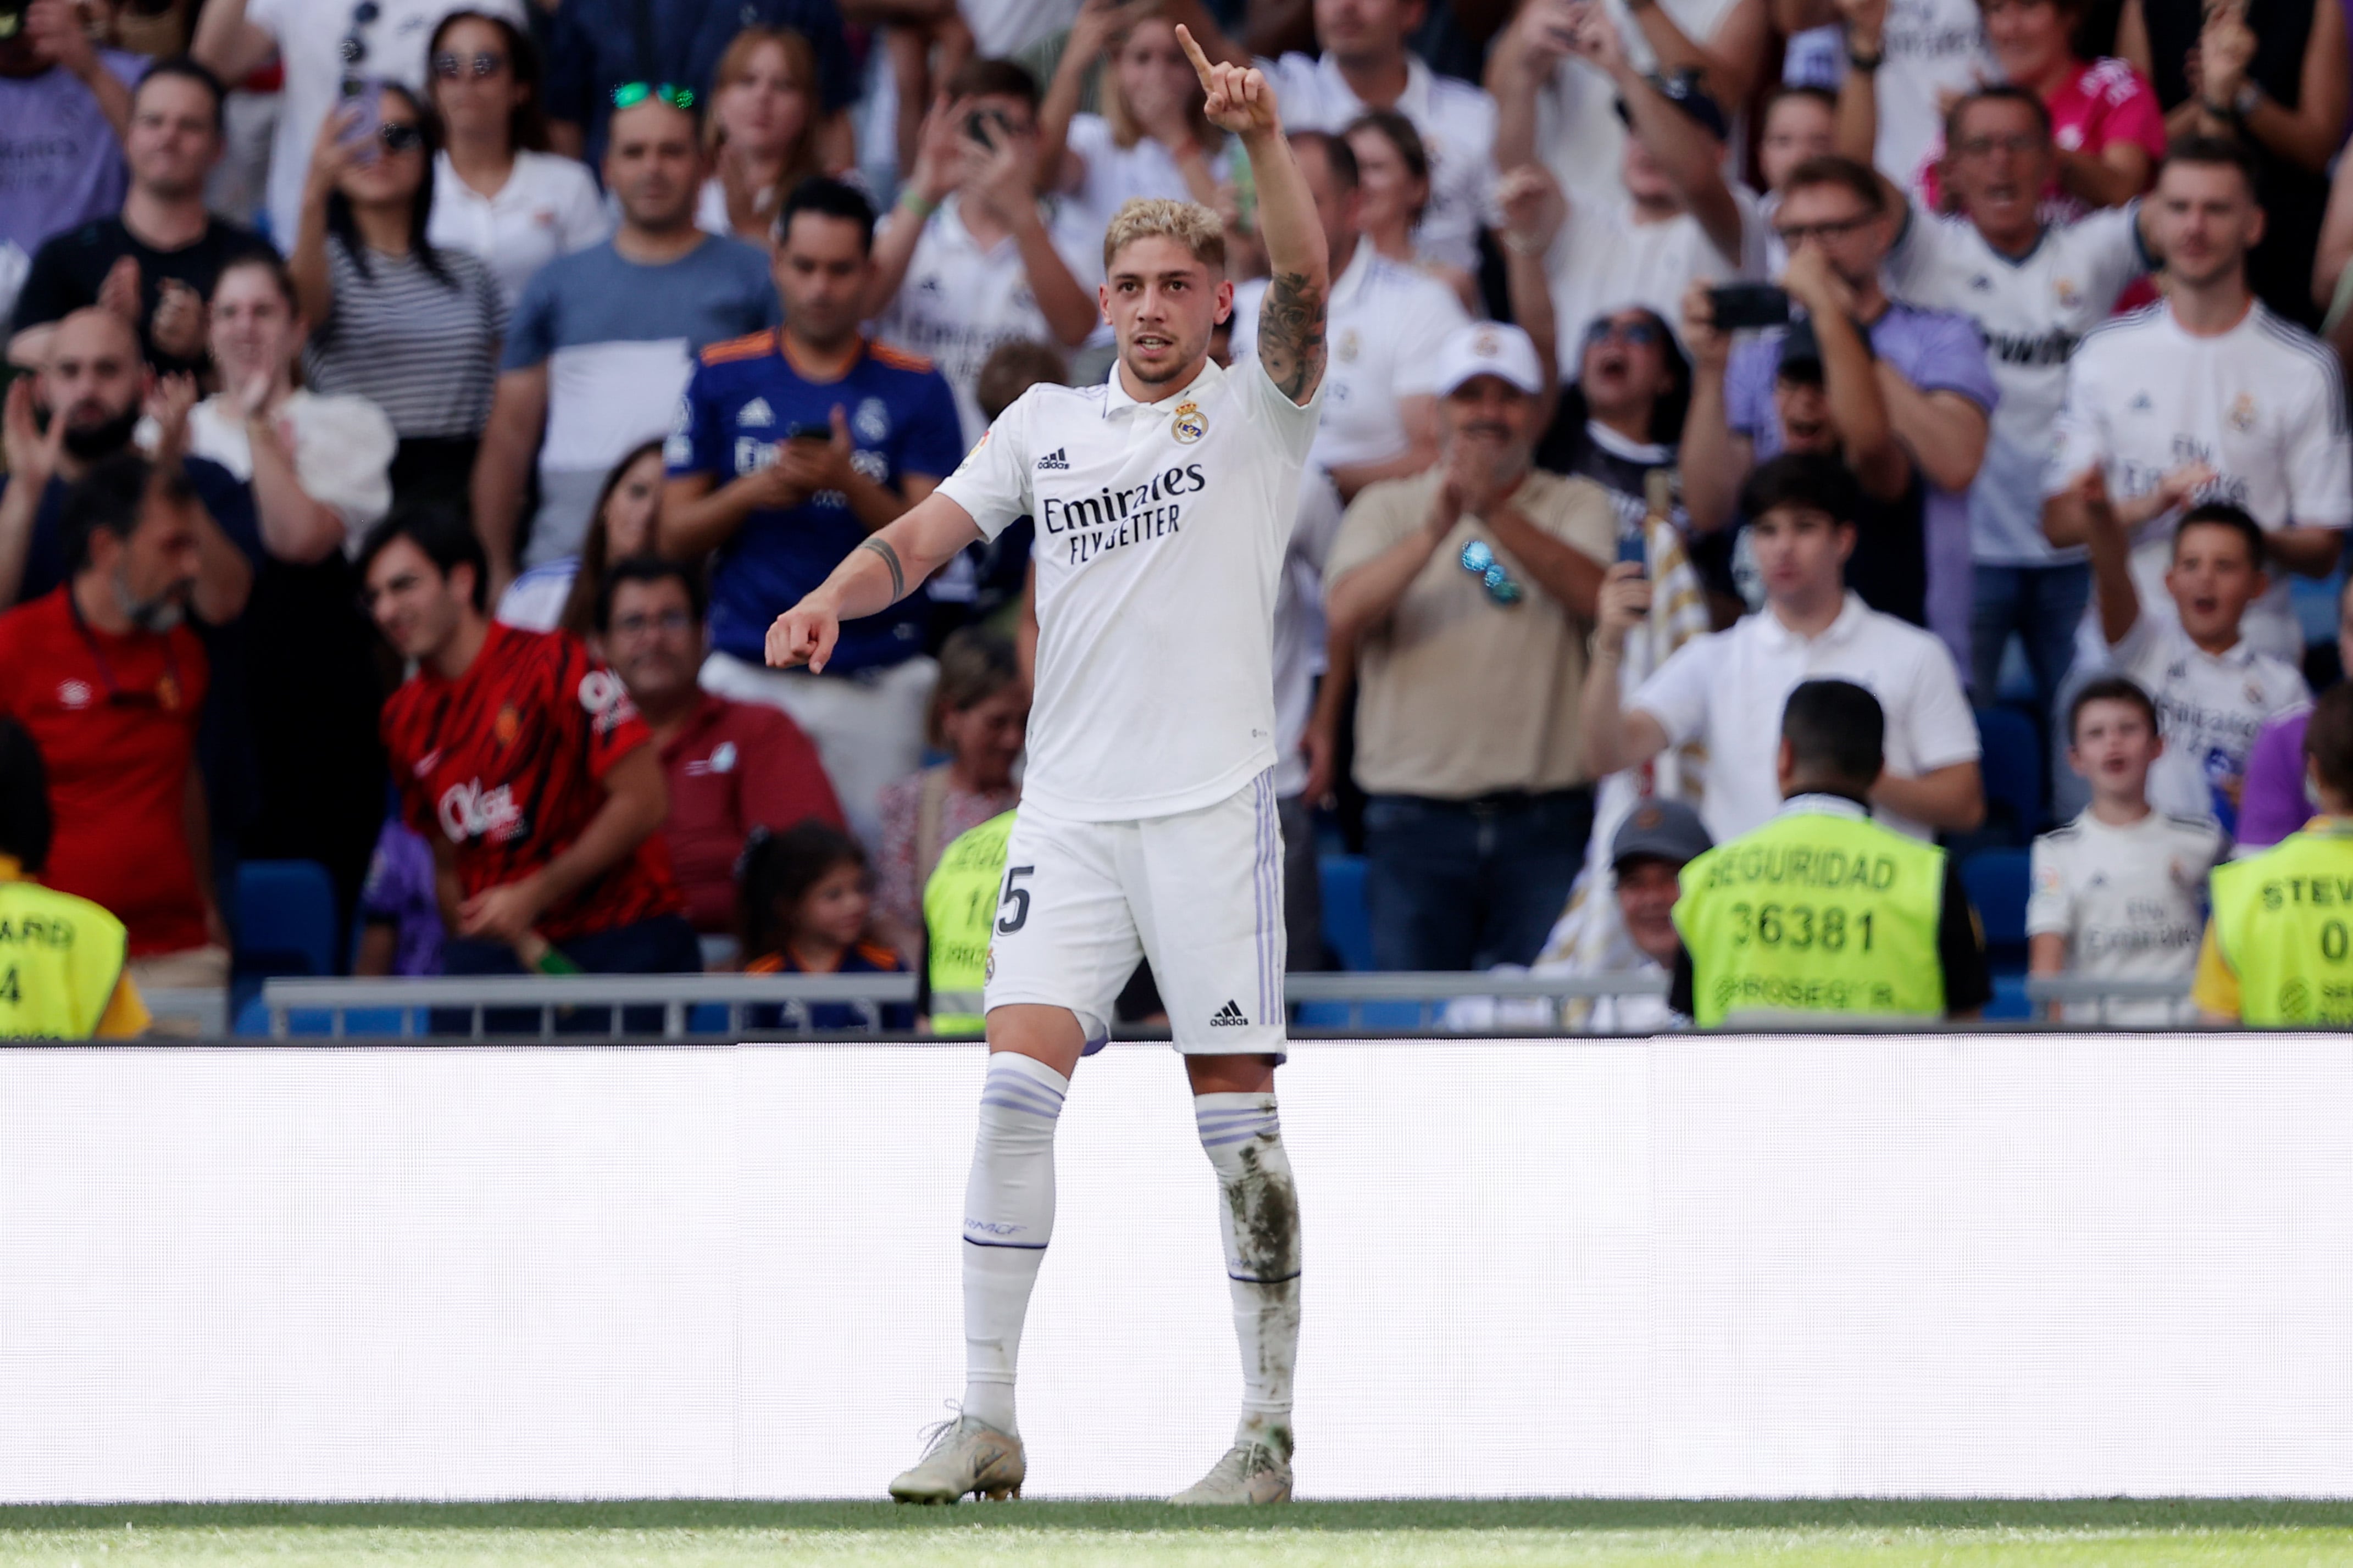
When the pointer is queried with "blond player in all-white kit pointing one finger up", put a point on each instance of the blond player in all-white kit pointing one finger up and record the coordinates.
(1147, 822)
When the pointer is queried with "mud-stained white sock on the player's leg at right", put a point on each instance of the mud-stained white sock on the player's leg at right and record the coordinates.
(1260, 1221)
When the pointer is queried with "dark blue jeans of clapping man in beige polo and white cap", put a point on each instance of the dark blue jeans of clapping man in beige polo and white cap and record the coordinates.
(1469, 883)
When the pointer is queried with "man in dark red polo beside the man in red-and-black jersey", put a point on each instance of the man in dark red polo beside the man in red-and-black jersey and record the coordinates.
(731, 768)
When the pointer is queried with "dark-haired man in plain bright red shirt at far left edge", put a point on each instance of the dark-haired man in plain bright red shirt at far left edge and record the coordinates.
(109, 681)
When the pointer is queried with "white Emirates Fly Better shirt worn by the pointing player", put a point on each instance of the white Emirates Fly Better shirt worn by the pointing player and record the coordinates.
(1161, 537)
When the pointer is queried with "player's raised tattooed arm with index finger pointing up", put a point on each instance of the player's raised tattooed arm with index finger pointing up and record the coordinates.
(1300, 264)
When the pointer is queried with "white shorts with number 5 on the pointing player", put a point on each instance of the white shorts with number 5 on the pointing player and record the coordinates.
(1199, 894)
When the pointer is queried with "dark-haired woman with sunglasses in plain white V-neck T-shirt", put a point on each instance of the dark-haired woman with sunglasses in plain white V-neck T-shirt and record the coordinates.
(498, 189)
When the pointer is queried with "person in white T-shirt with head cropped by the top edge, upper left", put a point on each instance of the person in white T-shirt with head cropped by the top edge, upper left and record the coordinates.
(321, 46)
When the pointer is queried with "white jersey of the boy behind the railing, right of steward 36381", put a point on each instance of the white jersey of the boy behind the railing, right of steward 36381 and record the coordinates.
(2131, 902)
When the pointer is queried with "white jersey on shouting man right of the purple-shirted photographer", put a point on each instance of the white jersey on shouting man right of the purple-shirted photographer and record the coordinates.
(2034, 309)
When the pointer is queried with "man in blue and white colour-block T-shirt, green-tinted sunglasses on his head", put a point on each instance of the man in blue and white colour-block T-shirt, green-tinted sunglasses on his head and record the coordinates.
(604, 340)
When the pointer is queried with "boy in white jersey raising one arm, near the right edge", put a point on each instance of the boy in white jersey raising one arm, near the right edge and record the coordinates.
(2213, 690)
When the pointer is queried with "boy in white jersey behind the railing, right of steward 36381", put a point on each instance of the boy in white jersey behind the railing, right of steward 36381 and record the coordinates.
(2119, 894)
